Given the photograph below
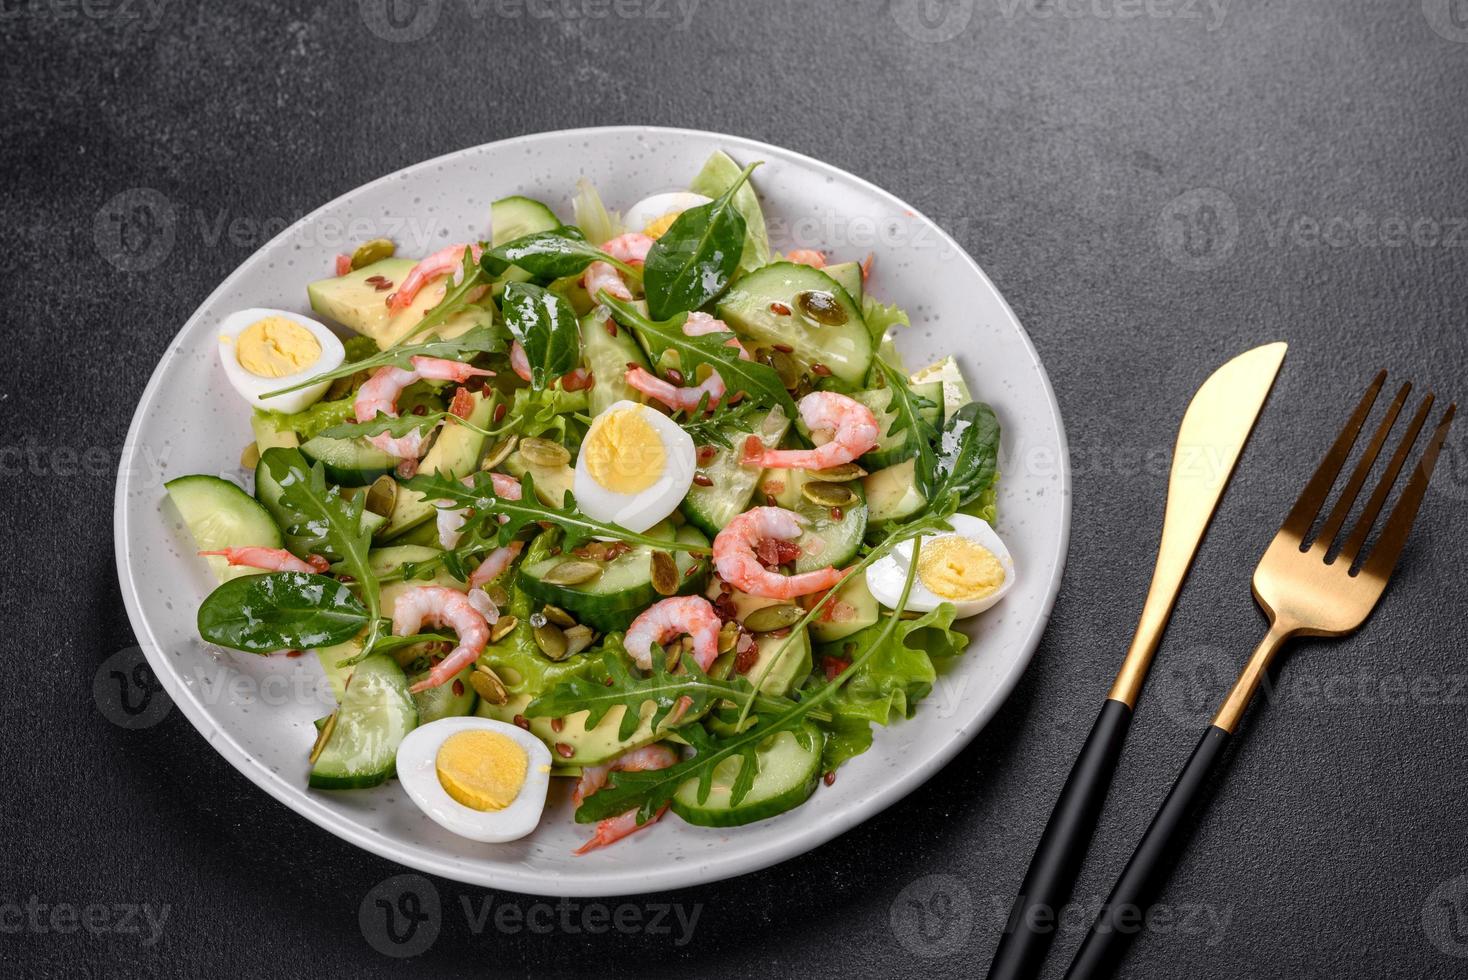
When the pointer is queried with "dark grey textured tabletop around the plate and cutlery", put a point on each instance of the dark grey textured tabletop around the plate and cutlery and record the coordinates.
(1055, 140)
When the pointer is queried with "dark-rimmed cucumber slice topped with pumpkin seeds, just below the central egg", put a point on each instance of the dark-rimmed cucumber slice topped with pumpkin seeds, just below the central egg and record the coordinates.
(623, 590)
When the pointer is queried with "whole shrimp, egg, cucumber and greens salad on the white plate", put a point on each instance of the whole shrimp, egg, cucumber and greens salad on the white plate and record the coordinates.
(631, 501)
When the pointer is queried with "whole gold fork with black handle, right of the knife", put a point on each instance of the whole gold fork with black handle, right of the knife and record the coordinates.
(1307, 588)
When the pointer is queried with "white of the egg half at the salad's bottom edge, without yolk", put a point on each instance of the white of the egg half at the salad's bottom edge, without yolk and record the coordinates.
(418, 772)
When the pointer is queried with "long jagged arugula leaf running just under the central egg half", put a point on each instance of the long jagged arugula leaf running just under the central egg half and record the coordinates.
(479, 497)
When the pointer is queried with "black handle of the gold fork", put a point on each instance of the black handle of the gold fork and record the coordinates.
(1127, 907)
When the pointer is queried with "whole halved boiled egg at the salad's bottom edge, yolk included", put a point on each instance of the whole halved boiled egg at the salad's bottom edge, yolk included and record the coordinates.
(479, 778)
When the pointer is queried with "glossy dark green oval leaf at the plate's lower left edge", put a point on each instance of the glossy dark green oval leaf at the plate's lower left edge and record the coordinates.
(281, 611)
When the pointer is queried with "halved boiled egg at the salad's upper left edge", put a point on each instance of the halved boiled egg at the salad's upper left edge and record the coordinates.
(268, 350)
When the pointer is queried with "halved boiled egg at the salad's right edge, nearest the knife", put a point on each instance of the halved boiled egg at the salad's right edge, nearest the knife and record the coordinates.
(970, 568)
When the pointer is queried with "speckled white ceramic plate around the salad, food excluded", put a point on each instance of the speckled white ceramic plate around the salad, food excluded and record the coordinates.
(258, 711)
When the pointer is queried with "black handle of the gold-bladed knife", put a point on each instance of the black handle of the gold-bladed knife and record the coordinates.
(1062, 849)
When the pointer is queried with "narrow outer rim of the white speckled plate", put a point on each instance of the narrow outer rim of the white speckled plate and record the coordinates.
(616, 882)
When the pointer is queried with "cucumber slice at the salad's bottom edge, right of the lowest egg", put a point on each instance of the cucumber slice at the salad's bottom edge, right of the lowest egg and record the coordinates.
(789, 769)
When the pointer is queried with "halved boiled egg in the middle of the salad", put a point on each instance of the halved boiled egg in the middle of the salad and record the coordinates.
(635, 467)
